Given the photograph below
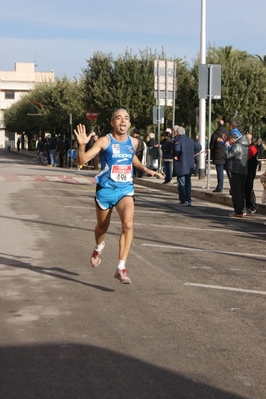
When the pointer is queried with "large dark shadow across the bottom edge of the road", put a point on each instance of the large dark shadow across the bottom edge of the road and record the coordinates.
(70, 371)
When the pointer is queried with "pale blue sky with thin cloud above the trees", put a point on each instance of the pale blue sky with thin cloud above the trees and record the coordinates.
(62, 35)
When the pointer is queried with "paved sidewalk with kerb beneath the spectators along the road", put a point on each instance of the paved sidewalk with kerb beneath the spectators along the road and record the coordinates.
(200, 187)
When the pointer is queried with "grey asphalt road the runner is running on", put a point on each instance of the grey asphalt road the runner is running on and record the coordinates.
(191, 325)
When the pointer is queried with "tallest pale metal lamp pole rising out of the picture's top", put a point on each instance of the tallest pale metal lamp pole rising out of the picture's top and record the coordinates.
(202, 102)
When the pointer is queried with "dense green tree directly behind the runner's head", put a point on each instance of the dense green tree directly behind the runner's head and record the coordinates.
(127, 82)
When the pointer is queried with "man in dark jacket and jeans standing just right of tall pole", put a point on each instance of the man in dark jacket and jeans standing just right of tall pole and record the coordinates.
(217, 155)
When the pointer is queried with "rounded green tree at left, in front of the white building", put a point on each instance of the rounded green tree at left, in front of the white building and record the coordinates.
(46, 108)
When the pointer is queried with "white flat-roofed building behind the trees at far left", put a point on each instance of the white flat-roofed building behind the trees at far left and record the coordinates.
(12, 85)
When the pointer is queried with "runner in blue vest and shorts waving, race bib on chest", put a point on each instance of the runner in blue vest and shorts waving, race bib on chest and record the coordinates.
(114, 185)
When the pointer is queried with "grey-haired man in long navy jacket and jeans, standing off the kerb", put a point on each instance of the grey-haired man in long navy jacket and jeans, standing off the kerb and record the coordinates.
(184, 151)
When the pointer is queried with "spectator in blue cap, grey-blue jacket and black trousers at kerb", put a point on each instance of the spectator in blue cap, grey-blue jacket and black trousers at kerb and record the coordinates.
(237, 152)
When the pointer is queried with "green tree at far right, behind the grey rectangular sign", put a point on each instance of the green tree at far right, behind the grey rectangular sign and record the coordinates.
(243, 86)
